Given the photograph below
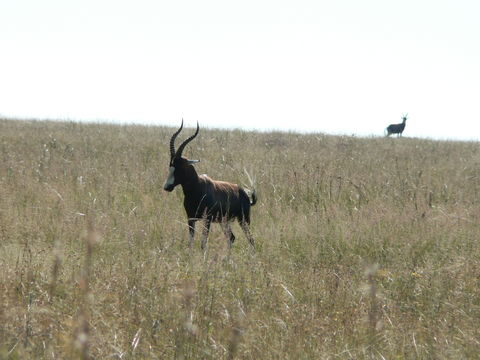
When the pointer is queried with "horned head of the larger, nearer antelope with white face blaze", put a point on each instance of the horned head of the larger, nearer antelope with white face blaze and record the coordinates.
(180, 170)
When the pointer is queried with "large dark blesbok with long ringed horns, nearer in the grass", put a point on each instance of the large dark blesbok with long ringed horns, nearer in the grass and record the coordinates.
(207, 199)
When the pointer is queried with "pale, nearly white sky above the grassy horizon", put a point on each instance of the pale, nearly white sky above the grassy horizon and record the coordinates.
(338, 66)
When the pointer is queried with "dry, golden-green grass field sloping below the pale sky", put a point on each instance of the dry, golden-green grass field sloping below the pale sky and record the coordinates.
(366, 248)
